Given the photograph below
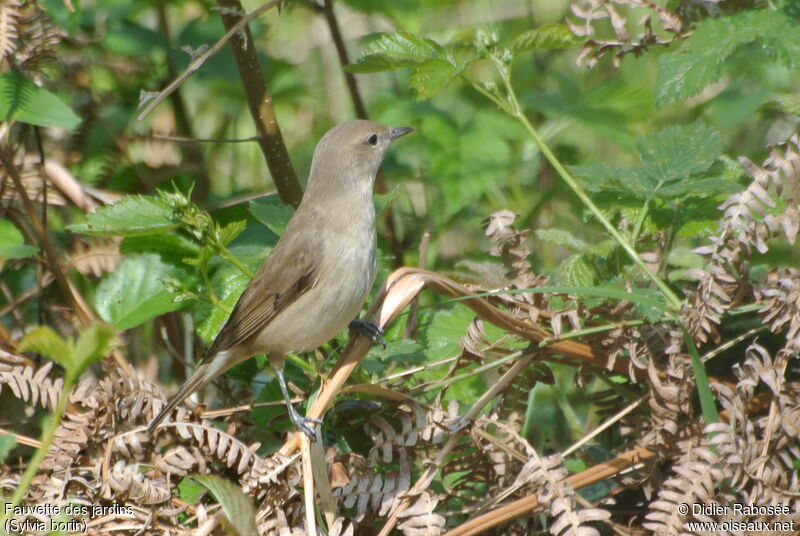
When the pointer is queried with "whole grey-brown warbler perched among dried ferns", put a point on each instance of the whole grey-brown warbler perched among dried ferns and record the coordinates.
(315, 280)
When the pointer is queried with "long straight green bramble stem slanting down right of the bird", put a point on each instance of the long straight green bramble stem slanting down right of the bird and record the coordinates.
(512, 107)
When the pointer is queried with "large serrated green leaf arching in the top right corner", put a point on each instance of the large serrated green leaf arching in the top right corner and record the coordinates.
(698, 61)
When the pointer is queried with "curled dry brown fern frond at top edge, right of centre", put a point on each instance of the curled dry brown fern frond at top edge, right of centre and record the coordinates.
(589, 12)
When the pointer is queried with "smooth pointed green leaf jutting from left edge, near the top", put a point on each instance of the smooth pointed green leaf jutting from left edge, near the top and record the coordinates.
(22, 100)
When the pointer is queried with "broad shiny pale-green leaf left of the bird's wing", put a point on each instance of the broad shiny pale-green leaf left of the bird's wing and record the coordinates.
(135, 292)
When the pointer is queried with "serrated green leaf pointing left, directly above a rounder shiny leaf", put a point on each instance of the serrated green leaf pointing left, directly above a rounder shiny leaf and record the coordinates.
(130, 216)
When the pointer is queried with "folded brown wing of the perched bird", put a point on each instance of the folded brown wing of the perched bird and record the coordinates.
(291, 269)
